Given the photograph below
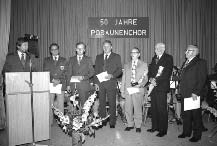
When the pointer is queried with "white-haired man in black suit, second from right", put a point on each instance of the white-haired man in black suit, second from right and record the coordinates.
(162, 86)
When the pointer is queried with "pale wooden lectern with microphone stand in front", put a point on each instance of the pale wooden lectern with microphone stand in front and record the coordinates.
(18, 104)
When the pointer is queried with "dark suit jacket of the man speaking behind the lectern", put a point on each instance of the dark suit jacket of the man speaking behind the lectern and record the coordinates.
(13, 63)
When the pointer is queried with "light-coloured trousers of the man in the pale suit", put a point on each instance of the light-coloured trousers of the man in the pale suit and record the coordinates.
(133, 109)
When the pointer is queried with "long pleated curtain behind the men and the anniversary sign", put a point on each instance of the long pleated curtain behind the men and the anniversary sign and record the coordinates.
(178, 23)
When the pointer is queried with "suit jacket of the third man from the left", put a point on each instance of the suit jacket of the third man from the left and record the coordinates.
(85, 69)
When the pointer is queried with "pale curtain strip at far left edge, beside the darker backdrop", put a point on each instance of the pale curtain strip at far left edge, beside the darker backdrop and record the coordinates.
(5, 12)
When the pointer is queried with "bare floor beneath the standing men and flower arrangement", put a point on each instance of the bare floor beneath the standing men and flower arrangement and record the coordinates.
(118, 137)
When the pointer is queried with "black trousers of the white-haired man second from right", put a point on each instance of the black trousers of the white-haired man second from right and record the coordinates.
(159, 111)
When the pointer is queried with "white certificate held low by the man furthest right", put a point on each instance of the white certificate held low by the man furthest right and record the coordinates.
(190, 104)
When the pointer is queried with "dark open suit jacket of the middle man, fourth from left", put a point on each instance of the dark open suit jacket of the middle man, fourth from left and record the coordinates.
(113, 66)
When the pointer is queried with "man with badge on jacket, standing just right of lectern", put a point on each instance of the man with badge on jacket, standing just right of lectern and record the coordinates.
(56, 65)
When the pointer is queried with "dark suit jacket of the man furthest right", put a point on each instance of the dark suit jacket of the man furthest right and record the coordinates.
(193, 78)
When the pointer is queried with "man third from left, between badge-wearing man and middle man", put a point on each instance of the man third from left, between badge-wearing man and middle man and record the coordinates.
(80, 70)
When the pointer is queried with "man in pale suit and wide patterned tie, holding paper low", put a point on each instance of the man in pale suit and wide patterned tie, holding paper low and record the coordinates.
(135, 76)
